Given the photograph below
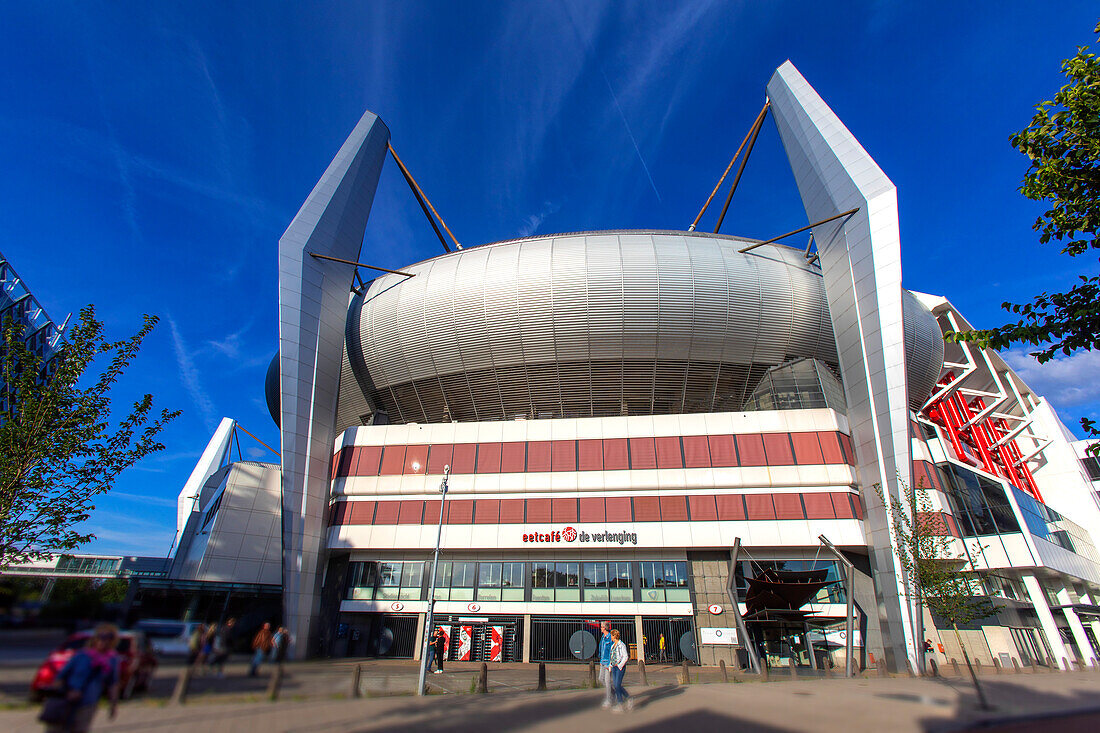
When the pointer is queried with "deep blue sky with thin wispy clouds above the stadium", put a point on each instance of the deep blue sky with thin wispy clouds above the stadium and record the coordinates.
(155, 152)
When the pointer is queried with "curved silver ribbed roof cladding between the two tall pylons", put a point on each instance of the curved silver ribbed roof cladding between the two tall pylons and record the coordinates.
(586, 325)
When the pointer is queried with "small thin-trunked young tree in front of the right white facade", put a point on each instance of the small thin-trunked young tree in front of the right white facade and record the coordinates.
(938, 575)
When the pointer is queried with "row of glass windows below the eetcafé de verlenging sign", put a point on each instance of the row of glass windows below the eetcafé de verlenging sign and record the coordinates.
(545, 582)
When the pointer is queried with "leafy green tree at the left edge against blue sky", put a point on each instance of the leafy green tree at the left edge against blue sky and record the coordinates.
(59, 450)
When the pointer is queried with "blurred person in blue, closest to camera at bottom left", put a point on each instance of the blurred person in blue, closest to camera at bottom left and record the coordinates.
(91, 674)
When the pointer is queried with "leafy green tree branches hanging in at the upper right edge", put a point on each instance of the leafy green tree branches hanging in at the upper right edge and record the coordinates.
(1063, 145)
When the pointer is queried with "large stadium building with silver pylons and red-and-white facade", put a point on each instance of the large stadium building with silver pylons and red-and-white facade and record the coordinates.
(690, 435)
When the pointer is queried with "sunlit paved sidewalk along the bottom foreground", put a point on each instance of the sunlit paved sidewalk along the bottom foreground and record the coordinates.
(812, 706)
